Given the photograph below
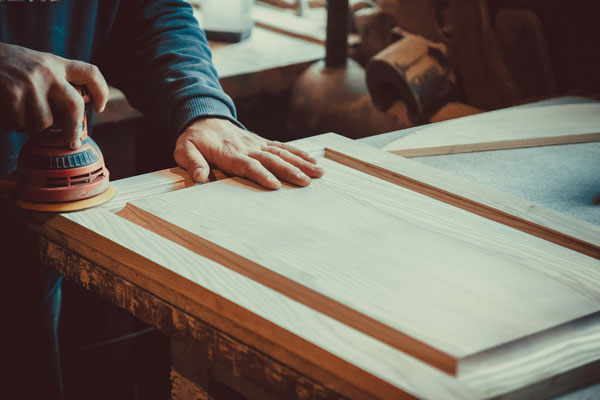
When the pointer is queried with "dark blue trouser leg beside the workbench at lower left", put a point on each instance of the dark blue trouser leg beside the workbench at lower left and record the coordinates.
(30, 301)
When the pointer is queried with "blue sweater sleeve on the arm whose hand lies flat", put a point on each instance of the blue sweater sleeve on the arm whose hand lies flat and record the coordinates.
(158, 55)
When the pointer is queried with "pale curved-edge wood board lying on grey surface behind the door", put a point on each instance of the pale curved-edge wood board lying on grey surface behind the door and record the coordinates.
(504, 129)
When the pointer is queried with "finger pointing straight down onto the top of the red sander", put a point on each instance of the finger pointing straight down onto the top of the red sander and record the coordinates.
(69, 109)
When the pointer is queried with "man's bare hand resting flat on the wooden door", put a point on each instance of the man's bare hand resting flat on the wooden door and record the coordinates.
(222, 144)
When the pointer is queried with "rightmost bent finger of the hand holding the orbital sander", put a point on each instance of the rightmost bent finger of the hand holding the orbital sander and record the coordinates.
(88, 75)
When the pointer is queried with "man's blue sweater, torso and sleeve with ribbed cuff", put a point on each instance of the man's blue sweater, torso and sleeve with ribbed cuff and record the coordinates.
(153, 50)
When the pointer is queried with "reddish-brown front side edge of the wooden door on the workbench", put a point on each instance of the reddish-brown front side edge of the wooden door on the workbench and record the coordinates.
(210, 307)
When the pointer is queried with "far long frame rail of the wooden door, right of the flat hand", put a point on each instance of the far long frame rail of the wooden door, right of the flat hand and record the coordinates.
(512, 211)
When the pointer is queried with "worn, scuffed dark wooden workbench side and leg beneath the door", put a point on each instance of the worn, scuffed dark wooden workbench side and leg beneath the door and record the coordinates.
(198, 350)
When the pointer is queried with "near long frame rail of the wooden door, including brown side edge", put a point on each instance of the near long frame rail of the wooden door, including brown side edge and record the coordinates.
(238, 305)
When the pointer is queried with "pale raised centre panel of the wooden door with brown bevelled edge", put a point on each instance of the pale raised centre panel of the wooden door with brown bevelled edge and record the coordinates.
(425, 277)
